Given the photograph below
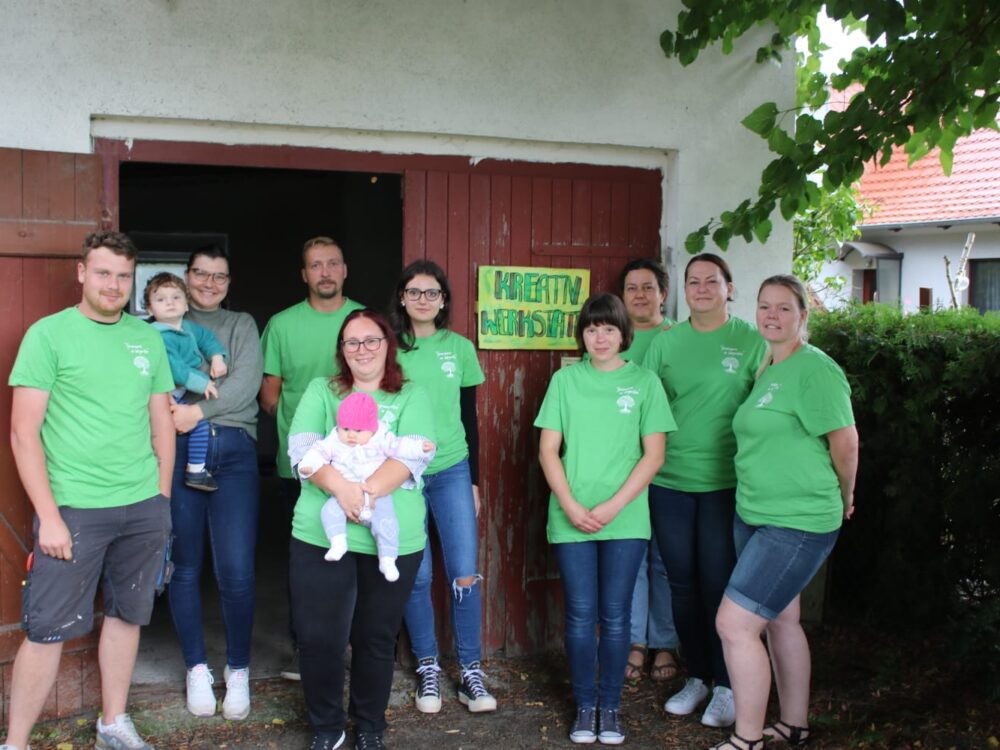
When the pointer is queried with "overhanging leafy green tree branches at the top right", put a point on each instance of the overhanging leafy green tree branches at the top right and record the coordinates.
(932, 79)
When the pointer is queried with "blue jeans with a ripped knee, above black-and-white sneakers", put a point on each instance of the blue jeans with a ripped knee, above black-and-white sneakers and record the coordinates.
(451, 505)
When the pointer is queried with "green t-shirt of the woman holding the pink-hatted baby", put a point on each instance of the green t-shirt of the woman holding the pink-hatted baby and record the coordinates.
(409, 413)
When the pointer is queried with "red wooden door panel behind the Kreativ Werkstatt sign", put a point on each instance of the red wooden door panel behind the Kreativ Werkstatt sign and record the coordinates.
(528, 215)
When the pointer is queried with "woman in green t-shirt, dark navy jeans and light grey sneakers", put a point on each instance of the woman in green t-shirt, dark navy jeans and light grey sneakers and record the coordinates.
(706, 364)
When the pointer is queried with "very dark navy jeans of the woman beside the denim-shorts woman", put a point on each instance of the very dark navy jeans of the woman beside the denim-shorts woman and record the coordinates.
(695, 532)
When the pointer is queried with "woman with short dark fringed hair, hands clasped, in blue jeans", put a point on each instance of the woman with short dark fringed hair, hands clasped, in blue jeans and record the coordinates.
(603, 422)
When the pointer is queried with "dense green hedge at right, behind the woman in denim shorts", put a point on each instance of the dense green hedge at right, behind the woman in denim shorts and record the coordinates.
(924, 544)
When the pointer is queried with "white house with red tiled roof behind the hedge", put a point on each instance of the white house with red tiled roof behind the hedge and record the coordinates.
(920, 218)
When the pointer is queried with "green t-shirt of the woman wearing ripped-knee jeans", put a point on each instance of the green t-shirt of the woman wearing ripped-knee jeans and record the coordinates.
(443, 364)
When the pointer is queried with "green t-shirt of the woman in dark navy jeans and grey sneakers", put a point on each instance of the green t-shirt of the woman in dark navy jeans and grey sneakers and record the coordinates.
(706, 376)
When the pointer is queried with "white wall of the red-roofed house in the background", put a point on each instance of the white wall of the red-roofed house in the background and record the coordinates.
(923, 250)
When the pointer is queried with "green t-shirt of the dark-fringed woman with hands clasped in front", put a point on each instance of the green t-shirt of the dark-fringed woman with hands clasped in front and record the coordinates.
(602, 417)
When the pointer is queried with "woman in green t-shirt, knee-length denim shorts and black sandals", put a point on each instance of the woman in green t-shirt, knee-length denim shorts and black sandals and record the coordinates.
(796, 461)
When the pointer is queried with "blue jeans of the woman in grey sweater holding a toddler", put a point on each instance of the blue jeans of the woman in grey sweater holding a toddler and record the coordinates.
(229, 516)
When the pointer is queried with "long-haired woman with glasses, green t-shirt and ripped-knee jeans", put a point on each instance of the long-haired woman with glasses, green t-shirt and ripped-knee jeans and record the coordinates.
(446, 364)
